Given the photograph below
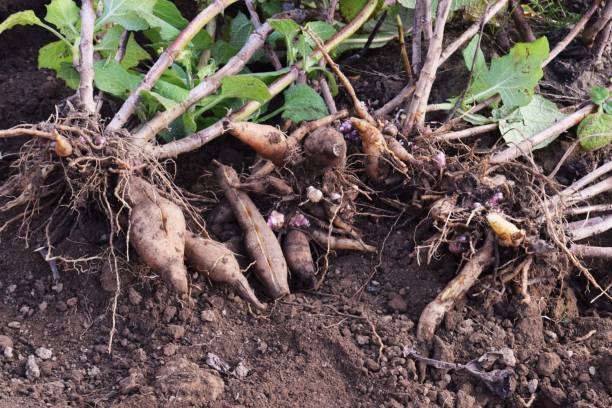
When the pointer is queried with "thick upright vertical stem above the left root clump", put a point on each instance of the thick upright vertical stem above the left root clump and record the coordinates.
(85, 68)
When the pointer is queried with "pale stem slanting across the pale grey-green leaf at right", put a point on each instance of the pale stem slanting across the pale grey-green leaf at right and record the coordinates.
(547, 135)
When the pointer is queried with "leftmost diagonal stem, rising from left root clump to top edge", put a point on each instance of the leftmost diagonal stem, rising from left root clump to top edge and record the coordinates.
(165, 60)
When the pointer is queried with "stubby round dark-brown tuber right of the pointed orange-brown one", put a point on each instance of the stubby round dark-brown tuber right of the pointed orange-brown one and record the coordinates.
(325, 148)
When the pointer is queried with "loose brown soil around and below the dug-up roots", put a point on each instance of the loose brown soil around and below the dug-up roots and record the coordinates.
(341, 346)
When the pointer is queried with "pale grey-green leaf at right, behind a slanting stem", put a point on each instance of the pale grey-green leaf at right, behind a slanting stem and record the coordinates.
(528, 120)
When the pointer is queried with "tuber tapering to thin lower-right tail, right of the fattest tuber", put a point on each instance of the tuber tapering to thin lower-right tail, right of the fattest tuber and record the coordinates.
(215, 261)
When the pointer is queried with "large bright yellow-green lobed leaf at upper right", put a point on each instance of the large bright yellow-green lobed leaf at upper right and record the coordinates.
(513, 76)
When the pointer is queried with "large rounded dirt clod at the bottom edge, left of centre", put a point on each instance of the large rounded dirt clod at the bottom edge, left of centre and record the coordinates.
(194, 384)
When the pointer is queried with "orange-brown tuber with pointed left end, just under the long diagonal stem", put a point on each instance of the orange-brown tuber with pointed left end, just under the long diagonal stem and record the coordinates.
(268, 141)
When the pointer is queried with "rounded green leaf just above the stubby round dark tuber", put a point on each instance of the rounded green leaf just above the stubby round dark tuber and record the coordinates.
(303, 103)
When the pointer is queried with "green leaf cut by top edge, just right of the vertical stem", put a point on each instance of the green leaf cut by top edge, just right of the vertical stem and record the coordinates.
(130, 14)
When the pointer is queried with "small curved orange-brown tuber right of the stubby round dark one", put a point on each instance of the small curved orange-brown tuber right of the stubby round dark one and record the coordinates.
(374, 147)
